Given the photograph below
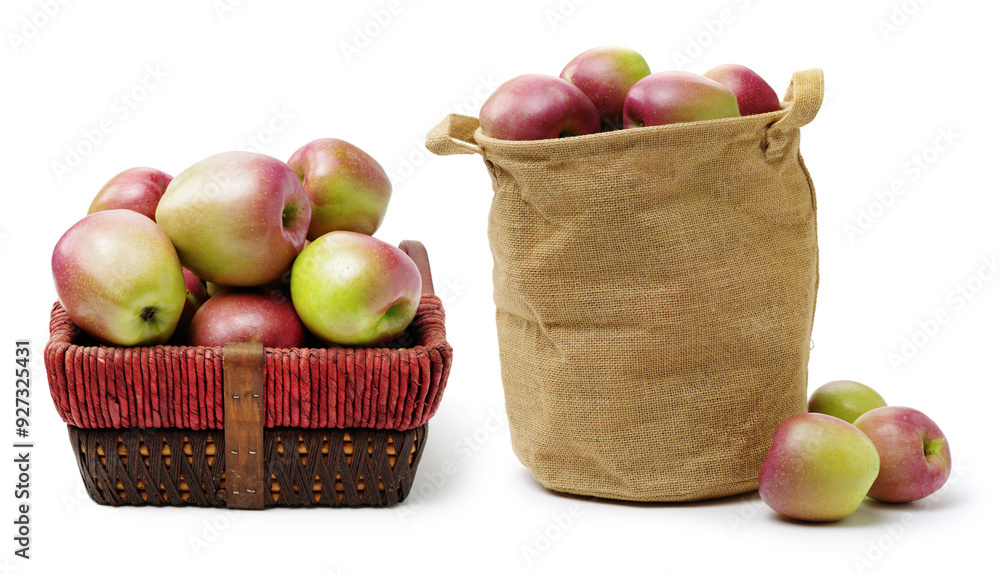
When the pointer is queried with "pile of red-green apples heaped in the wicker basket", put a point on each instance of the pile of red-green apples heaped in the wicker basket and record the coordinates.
(284, 249)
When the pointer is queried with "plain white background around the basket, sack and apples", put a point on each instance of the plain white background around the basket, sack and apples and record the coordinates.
(207, 76)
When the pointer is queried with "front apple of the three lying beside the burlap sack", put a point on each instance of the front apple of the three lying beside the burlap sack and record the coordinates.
(819, 468)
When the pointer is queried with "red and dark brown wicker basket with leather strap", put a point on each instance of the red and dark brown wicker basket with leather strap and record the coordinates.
(303, 427)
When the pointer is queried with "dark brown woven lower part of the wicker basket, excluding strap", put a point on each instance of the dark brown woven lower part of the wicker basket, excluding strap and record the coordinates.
(307, 467)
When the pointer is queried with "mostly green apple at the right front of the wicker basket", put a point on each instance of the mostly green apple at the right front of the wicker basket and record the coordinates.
(353, 289)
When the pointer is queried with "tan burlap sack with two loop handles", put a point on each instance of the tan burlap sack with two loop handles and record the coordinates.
(655, 291)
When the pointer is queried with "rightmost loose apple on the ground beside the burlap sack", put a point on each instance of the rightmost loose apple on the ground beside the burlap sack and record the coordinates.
(914, 453)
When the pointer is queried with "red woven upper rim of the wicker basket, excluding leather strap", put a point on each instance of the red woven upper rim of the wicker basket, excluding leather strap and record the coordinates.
(181, 387)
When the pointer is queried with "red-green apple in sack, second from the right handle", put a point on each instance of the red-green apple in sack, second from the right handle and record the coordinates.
(673, 97)
